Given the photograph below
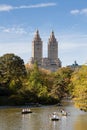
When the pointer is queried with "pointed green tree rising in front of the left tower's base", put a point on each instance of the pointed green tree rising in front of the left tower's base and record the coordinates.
(35, 84)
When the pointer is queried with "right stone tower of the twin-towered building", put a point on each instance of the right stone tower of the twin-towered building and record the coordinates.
(52, 48)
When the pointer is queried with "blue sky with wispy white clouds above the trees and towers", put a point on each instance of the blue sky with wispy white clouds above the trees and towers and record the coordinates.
(19, 20)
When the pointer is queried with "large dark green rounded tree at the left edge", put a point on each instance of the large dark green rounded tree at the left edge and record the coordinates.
(12, 71)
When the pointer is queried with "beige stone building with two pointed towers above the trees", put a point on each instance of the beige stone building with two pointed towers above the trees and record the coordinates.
(52, 62)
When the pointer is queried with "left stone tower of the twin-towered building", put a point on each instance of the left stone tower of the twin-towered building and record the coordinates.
(37, 48)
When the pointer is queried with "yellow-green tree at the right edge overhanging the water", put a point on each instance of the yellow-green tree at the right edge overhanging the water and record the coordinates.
(79, 82)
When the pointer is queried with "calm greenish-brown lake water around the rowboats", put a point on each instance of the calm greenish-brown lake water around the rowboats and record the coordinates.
(12, 119)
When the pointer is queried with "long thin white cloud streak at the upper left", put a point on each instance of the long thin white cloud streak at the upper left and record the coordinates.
(9, 7)
